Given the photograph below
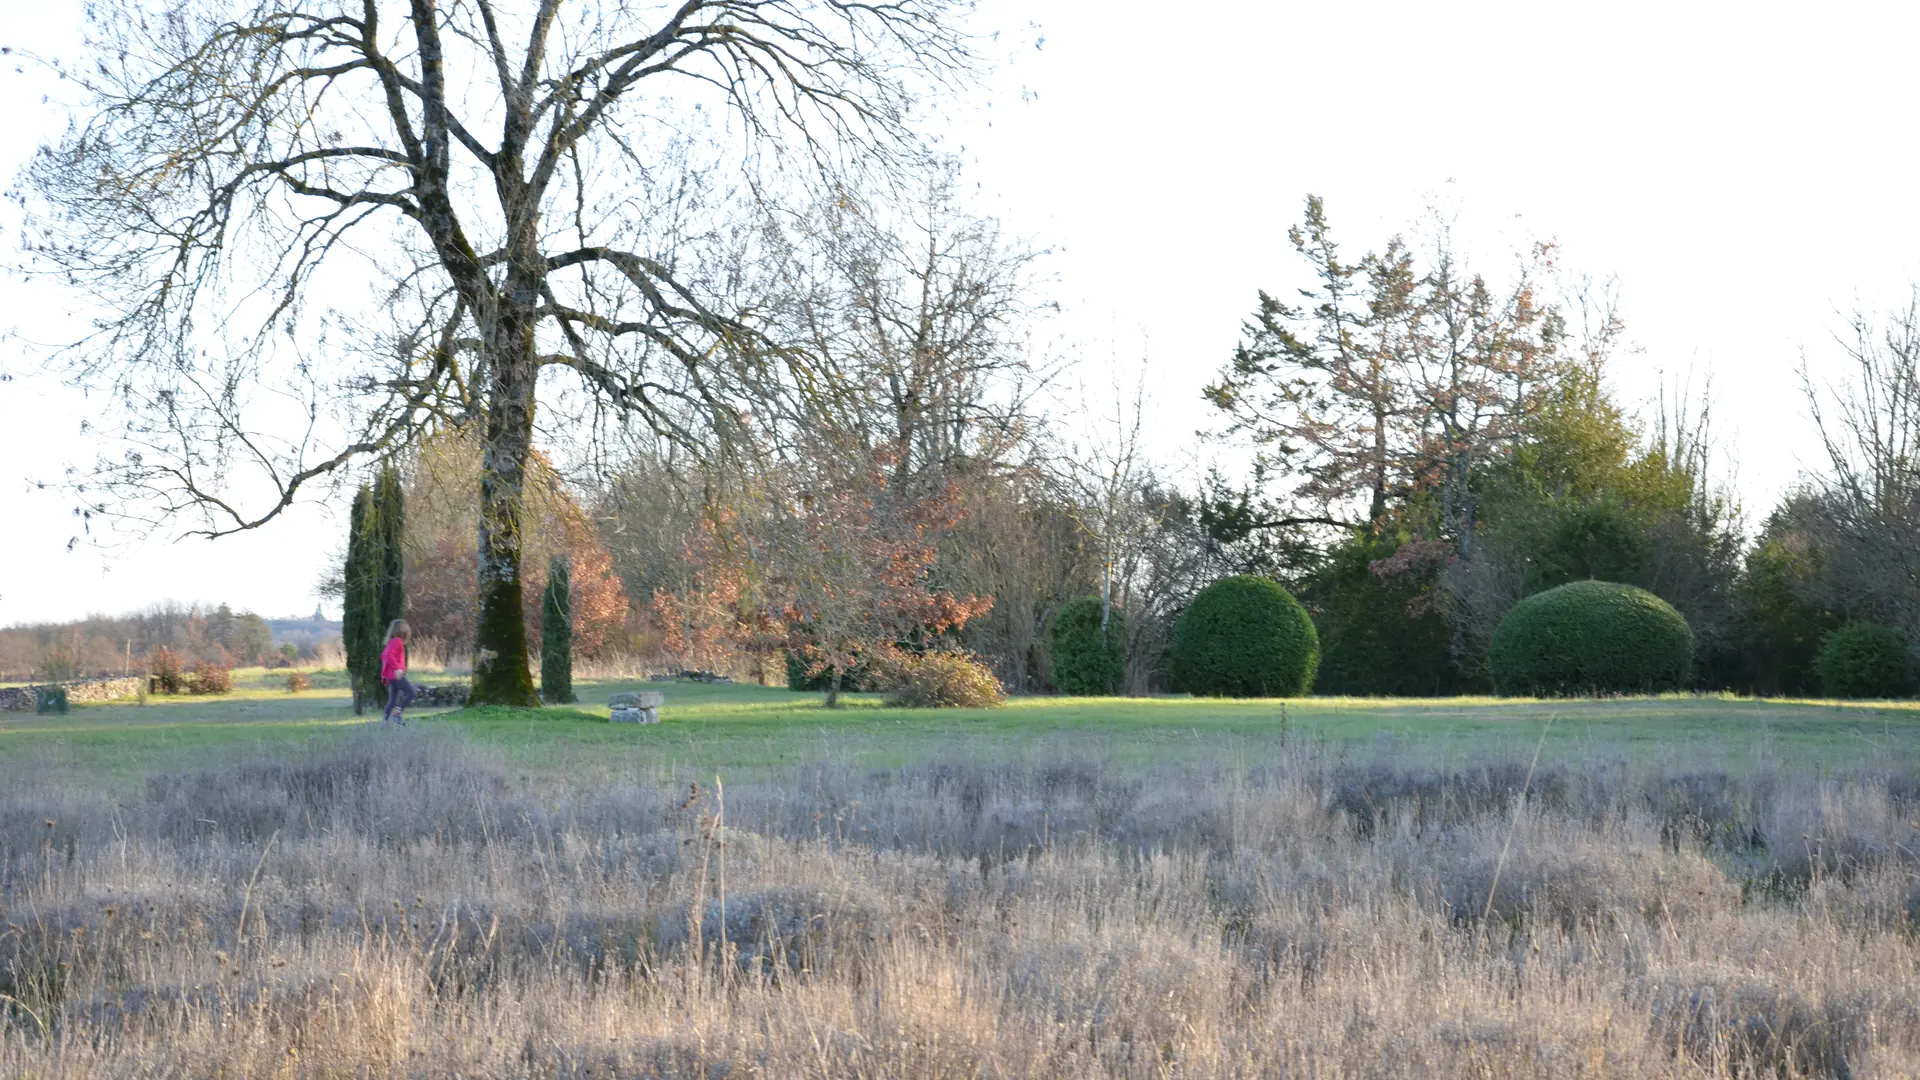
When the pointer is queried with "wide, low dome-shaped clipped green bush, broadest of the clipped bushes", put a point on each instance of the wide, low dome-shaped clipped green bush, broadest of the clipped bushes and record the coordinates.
(1591, 637)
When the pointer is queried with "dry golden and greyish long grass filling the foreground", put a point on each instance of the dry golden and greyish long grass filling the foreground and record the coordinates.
(400, 904)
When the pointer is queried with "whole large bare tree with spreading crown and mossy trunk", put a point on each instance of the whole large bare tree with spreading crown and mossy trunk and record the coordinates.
(523, 182)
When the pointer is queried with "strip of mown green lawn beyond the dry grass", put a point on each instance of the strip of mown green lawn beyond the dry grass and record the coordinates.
(732, 727)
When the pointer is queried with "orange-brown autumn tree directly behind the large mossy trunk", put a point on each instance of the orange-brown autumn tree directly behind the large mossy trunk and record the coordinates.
(443, 551)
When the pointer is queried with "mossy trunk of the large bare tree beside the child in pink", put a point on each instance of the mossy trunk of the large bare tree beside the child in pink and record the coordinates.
(502, 672)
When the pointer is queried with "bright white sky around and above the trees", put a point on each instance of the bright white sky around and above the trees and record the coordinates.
(1744, 170)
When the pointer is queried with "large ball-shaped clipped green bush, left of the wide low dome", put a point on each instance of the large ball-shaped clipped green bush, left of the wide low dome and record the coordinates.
(1245, 637)
